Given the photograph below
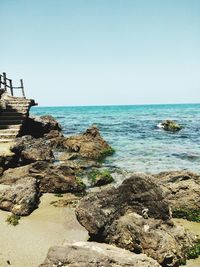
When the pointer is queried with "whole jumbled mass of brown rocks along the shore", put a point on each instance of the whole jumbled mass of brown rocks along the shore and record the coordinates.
(129, 224)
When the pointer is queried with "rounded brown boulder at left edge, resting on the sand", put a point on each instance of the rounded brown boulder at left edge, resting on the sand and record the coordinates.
(21, 198)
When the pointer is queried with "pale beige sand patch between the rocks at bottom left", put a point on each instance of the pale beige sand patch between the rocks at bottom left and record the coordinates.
(26, 244)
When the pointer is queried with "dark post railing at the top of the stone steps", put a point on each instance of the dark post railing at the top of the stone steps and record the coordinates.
(7, 84)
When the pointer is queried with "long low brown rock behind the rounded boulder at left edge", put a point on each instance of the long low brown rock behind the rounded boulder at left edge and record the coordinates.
(51, 178)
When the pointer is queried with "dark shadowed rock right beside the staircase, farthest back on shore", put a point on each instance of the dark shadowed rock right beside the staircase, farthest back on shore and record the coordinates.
(39, 126)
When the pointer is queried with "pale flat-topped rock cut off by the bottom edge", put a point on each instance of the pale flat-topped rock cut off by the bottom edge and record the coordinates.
(91, 254)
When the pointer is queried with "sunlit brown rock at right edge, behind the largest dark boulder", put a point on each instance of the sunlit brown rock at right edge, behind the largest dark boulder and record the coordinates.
(181, 189)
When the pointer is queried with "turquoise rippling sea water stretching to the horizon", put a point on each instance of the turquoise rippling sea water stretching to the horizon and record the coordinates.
(132, 130)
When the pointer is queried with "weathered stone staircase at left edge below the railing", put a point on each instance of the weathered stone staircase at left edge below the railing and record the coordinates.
(13, 113)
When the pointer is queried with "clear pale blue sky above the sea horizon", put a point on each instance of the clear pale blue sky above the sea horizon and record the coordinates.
(96, 52)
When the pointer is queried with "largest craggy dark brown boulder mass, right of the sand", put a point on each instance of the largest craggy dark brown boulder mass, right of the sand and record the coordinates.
(135, 216)
